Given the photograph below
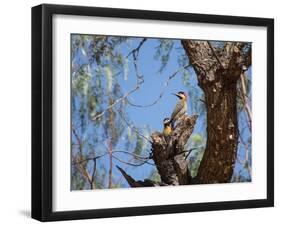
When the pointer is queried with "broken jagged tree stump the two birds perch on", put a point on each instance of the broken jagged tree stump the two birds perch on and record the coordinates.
(169, 155)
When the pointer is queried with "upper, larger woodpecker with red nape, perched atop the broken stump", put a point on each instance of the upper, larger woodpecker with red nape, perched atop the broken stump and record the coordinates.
(180, 109)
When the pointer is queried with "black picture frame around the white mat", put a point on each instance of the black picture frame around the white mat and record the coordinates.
(42, 84)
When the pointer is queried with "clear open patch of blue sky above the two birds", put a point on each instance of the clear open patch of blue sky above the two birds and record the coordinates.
(151, 88)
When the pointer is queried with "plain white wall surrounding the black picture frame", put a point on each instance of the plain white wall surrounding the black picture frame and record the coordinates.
(15, 105)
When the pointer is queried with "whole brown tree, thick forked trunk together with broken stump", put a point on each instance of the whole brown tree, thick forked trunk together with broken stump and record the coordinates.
(218, 70)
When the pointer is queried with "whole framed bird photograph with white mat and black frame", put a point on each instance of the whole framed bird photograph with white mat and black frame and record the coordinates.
(145, 112)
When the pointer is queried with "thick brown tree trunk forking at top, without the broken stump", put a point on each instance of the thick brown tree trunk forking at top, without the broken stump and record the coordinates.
(217, 73)
